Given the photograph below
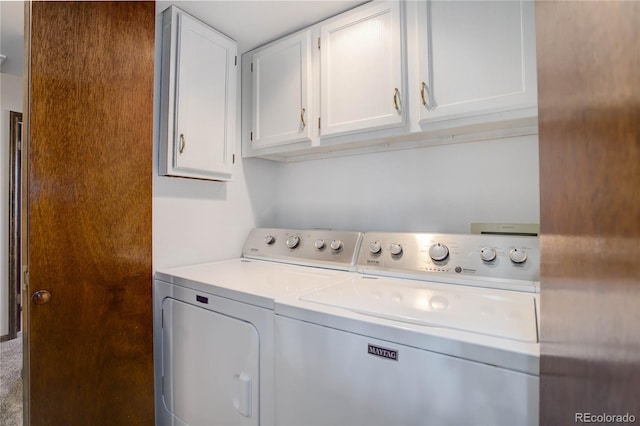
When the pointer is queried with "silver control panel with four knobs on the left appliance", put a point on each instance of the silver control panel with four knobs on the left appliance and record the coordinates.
(314, 247)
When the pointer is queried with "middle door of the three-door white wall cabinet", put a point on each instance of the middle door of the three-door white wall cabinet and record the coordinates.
(362, 71)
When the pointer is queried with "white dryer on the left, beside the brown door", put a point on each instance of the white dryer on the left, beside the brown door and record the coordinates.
(214, 324)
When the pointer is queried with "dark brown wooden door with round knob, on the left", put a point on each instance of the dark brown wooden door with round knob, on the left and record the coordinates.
(90, 115)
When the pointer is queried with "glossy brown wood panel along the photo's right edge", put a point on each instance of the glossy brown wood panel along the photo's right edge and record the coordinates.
(589, 115)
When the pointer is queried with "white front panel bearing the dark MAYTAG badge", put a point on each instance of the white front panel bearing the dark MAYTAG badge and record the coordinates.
(330, 377)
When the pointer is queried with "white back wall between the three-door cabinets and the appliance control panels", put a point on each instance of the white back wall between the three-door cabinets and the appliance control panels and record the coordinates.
(439, 188)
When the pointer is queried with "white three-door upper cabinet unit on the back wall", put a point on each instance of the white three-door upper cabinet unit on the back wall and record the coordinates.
(393, 75)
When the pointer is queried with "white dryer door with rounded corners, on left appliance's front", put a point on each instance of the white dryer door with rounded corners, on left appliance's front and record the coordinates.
(211, 366)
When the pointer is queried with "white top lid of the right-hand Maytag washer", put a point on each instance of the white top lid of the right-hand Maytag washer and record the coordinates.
(498, 313)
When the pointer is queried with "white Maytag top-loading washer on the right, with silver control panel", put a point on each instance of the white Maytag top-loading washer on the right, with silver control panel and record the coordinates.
(436, 330)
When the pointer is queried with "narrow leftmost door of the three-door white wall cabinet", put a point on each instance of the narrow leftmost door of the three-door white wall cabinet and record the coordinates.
(281, 76)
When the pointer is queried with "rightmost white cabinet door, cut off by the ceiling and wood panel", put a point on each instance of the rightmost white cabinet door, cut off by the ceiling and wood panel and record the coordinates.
(475, 57)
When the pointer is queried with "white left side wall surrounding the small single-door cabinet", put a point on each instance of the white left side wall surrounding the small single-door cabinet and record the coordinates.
(196, 221)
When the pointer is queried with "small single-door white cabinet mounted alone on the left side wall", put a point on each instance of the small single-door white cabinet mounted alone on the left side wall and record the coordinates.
(198, 99)
